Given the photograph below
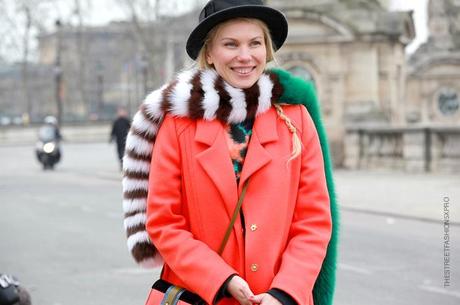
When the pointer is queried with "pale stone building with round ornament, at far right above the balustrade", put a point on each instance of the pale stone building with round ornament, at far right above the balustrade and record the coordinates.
(433, 94)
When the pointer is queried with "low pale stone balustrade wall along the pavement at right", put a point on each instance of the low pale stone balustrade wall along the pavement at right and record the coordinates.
(412, 149)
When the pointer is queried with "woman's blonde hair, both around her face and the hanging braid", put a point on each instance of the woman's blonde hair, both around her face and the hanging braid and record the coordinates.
(203, 64)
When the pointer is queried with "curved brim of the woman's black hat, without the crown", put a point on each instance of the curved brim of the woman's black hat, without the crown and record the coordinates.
(274, 19)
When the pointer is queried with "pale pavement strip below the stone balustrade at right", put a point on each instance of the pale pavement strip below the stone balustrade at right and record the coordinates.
(416, 196)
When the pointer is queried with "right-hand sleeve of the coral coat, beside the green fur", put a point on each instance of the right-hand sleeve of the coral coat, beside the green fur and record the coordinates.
(311, 226)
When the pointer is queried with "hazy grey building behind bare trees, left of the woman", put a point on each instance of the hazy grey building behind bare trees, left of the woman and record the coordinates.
(102, 67)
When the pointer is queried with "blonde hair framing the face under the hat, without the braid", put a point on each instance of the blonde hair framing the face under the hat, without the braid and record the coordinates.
(201, 58)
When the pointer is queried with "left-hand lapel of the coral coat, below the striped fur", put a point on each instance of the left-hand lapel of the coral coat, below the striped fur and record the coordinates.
(215, 160)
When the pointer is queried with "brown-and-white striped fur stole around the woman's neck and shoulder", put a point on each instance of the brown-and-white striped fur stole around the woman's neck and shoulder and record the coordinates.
(197, 94)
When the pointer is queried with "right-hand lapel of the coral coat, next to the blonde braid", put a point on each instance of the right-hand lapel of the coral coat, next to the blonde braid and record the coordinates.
(264, 131)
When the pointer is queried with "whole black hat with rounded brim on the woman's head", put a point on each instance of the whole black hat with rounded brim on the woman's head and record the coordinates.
(217, 11)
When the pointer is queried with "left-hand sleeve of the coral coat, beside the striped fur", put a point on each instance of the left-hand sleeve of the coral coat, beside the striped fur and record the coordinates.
(198, 266)
